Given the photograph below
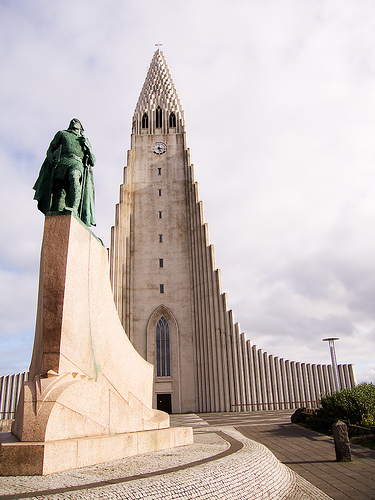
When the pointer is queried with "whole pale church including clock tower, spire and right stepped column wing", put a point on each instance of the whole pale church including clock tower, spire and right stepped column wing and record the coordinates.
(167, 290)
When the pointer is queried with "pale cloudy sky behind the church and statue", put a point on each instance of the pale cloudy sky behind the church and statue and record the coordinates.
(279, 102)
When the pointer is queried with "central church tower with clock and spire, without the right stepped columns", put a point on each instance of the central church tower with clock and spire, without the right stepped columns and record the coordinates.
(151, 248)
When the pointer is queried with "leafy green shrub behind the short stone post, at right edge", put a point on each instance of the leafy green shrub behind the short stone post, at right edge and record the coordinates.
(357, 405)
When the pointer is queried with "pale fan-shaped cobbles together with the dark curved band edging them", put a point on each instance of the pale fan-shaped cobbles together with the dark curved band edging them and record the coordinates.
(246, 470)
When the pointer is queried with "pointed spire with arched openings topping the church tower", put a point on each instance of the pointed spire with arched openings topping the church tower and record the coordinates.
(158, 109)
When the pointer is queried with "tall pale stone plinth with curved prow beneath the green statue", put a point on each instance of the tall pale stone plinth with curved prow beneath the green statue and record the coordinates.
(89, 396)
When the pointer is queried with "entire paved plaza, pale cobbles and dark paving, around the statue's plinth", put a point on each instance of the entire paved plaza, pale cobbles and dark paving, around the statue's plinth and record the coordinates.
(230, 459)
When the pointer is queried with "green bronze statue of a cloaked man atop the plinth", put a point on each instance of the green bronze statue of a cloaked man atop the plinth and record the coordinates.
(65, 181)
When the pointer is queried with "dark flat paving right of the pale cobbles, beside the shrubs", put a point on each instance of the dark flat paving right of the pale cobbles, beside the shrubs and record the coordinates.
(309, 454)
